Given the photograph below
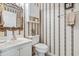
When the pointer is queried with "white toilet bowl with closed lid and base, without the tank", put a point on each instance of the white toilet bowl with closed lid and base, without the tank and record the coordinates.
(40, 49)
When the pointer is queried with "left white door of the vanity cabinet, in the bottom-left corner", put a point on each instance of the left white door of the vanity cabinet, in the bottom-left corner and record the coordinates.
(11, 52)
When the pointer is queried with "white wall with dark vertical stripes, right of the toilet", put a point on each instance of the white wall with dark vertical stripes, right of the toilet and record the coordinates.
(55, 31)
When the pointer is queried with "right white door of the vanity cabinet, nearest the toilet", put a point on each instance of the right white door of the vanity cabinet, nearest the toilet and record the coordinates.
(26, 50)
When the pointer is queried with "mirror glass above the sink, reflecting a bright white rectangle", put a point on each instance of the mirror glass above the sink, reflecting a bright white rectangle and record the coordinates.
(11, 15)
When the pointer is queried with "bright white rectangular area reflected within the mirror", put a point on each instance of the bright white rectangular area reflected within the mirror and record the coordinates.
(9, 19)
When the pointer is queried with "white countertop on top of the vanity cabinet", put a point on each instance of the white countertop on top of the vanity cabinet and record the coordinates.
(11, 43)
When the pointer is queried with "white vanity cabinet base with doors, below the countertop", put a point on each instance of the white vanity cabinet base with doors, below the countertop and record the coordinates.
(20, 50)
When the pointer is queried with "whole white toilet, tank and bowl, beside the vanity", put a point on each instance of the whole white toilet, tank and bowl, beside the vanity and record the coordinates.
(40, 48)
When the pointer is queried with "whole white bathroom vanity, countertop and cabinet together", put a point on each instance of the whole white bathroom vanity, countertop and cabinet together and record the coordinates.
(16, 47)
